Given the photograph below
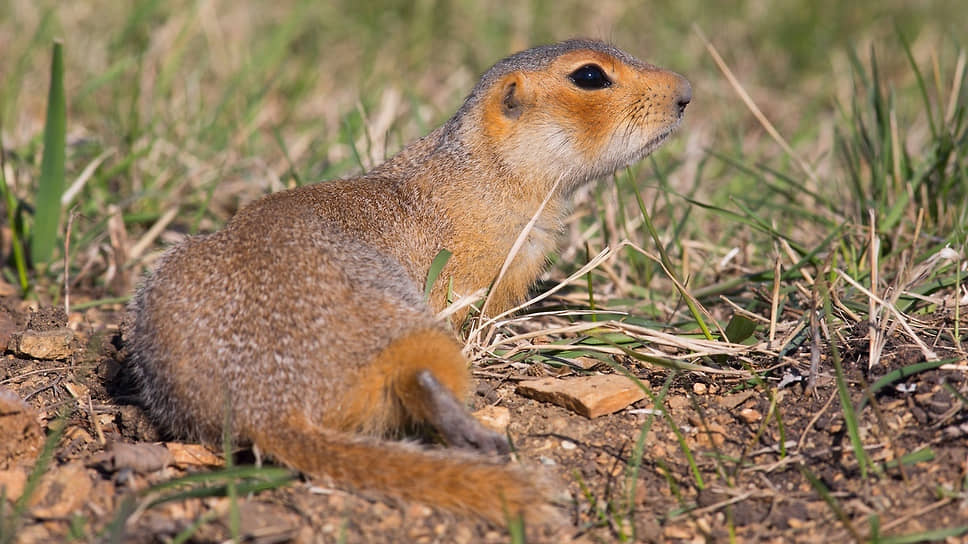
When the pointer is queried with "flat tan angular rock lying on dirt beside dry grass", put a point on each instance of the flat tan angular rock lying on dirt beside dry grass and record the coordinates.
(590, 396)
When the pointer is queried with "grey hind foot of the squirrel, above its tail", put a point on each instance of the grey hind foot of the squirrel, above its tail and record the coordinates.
(451, 419)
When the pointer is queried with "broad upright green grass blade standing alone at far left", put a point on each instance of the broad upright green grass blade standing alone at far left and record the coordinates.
(51, 184)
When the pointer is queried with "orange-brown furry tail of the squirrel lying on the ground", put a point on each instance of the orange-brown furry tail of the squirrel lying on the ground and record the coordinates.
(452, 479)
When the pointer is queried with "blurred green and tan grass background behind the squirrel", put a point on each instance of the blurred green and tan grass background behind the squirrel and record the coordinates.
(200, 106)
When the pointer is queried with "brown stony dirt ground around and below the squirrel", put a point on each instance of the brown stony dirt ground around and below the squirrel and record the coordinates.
(752, 490)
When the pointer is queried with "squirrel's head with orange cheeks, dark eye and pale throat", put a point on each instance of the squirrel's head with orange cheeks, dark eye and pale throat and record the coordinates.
(577, 110)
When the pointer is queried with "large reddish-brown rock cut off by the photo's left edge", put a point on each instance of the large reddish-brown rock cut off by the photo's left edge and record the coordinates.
(21, 436)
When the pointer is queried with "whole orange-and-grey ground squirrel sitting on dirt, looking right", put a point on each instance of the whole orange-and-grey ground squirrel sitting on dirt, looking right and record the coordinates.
(302, 326)
